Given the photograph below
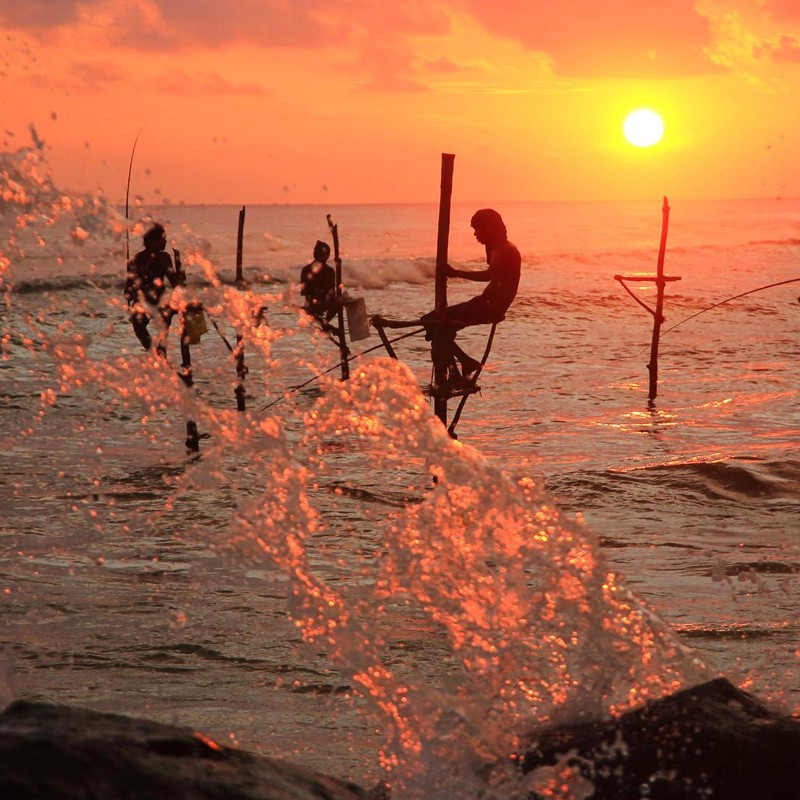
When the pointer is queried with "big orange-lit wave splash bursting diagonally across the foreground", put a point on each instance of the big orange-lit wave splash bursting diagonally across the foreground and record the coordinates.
(477, 611)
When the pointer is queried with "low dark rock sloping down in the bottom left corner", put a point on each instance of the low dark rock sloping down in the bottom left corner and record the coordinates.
(52, 752)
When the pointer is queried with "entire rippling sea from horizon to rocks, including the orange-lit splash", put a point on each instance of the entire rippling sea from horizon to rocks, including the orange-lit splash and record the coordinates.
(303, 586)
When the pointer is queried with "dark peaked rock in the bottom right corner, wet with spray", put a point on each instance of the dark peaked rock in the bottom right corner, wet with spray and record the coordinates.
(712, 741)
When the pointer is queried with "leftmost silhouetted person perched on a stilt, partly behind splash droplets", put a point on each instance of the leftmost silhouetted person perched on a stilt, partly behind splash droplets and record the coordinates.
(147, 274)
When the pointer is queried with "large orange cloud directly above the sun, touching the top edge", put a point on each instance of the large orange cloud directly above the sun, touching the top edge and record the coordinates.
(615, 38)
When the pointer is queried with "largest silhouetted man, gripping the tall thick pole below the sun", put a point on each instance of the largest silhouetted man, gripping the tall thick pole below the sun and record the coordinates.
(502, 280)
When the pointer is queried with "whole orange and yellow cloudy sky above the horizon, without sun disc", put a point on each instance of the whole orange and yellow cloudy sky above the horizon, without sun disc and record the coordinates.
(337, 101)
